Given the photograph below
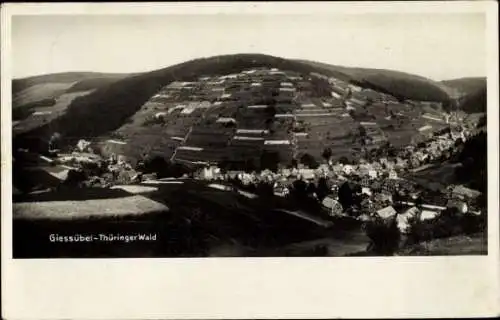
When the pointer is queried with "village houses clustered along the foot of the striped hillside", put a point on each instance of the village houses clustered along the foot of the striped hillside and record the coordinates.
(378, 181)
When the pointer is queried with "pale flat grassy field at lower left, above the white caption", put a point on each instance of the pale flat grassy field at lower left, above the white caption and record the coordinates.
(94, 208)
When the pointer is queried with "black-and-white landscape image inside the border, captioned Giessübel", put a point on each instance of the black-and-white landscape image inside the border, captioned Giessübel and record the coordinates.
(249, 135)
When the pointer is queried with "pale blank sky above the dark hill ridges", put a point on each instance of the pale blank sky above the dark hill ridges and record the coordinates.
(439, 46)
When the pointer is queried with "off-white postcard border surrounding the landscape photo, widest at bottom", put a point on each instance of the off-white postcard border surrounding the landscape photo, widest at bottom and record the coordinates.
(242, 287)
